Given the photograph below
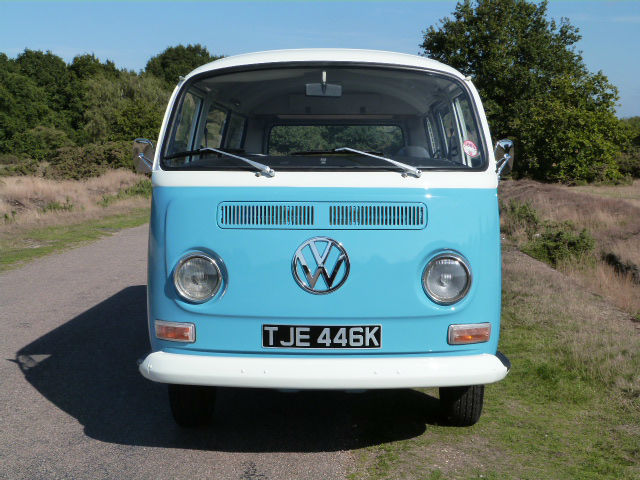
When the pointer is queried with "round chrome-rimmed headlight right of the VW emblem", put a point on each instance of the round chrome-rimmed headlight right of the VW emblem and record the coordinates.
(447, 278)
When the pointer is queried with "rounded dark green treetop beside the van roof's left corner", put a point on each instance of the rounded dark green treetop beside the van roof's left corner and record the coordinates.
(180, 60)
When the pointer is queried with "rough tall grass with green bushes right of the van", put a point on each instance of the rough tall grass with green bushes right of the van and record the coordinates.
(594, 238)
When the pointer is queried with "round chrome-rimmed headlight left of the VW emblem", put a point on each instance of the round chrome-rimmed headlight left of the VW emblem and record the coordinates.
(197, 277)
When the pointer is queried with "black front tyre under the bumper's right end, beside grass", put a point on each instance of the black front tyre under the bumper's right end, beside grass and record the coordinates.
(461, 406)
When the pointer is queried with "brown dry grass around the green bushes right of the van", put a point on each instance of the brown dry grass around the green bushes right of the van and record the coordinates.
(609, 214)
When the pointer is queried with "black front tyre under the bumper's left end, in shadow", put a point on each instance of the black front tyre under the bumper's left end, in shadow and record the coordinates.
(192, 405)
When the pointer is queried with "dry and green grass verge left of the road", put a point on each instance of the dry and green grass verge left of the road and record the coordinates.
(42, 216)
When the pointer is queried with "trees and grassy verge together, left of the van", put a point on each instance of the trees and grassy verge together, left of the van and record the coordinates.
(66, 131)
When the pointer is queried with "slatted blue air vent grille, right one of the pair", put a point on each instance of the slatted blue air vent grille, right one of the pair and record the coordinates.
(378, 215)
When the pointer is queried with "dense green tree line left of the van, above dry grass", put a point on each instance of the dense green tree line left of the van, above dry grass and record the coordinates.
(78, 119)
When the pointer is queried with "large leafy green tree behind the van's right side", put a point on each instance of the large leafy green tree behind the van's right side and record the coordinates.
(534, 86)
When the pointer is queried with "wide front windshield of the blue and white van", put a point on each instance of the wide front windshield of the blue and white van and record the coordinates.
(313, 118)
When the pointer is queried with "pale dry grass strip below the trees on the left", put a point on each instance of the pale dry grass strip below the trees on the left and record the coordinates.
(31, 202)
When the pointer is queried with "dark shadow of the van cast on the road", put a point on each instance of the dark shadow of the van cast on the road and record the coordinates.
(87, 367)
